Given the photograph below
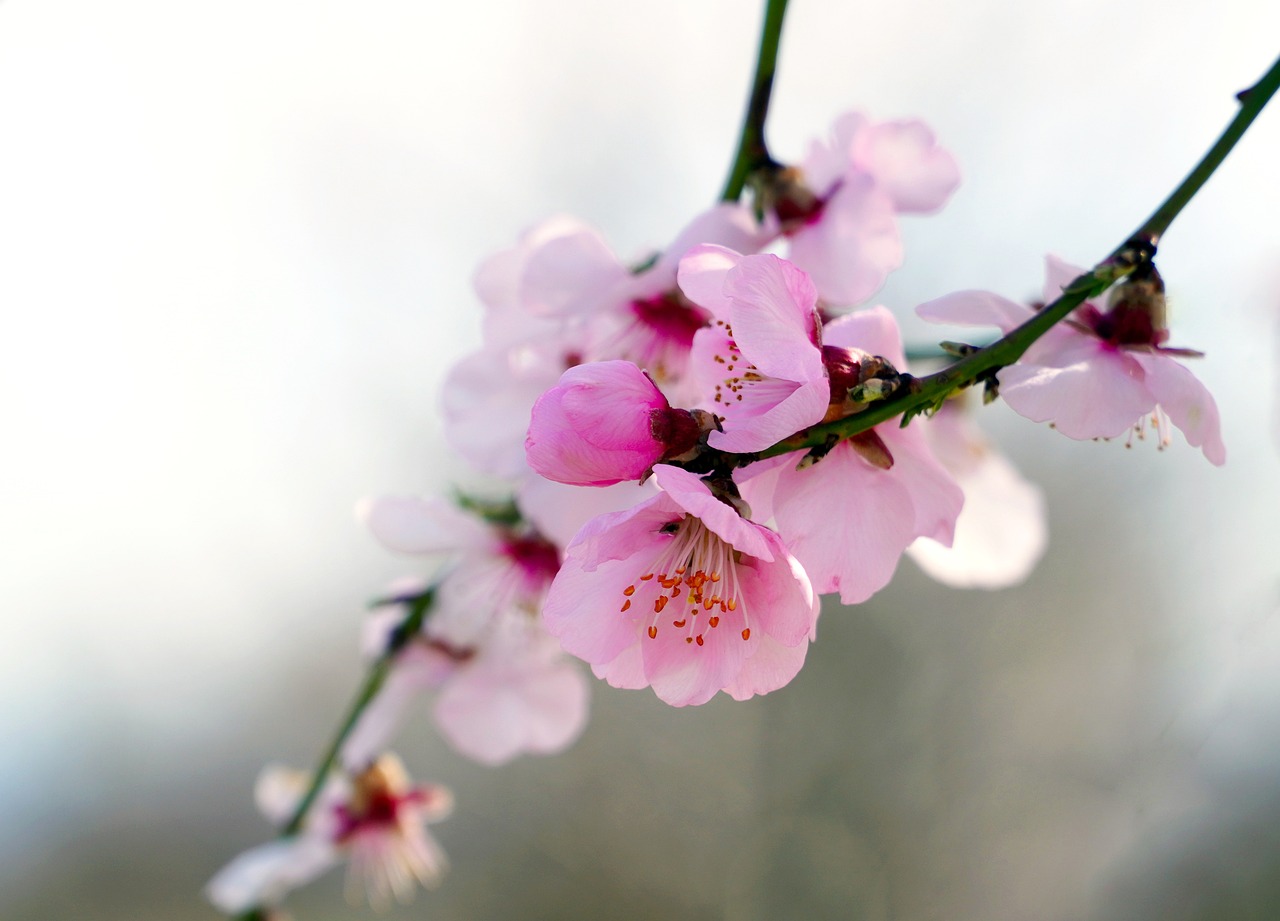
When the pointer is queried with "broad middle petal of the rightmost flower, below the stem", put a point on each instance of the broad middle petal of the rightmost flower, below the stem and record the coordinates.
(1100, 396)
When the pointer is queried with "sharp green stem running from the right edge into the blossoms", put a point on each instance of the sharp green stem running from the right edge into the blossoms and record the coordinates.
(1139, 250)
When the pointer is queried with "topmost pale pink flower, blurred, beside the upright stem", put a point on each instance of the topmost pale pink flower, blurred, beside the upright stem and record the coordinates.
(845, 231)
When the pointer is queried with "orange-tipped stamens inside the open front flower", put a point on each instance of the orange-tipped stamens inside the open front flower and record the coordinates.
(693, 583)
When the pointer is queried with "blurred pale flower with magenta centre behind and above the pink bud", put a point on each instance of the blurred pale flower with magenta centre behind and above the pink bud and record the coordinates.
(559, 299)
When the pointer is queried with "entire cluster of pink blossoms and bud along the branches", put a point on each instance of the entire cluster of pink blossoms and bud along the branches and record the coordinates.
(673, 521)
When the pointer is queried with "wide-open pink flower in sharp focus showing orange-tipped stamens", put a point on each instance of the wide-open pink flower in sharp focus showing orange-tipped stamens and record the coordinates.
(685, 595)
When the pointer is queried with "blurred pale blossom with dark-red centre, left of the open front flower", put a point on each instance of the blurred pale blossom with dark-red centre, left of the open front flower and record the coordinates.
(504, 688)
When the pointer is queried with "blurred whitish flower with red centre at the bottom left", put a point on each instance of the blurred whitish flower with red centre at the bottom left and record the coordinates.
(376, 819)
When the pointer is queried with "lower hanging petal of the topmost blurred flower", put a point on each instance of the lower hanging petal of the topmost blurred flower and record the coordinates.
(854, 245)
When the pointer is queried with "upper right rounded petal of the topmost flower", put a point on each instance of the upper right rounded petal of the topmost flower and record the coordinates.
(907, 162)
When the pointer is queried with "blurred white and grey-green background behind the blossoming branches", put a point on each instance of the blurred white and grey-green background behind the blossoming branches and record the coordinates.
(236, 244)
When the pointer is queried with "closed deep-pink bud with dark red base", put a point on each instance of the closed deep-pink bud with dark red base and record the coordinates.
(605, 423)
